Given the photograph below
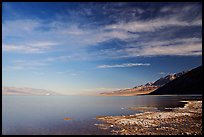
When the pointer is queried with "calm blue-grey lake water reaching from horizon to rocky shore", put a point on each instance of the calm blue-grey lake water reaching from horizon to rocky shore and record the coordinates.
(44, 115)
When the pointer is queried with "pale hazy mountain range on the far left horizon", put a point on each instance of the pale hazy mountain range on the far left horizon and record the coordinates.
(26, 91)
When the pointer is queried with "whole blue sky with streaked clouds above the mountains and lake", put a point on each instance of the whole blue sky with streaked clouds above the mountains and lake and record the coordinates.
(82, 48)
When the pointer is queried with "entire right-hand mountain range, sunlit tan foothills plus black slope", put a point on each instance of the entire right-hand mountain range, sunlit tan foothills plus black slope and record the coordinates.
(187, 82)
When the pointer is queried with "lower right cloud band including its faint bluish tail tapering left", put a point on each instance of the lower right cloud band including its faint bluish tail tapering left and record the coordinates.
(148, 48)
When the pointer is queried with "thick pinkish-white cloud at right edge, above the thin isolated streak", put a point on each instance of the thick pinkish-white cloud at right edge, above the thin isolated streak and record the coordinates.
(182, 47)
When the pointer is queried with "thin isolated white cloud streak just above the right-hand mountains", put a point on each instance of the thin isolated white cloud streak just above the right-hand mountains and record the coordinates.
(124, 65)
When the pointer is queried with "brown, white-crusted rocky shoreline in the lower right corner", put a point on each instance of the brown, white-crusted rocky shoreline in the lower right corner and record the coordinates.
(185, 120)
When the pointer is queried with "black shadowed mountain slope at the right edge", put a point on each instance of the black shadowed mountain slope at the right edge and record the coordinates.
(188, 83)
